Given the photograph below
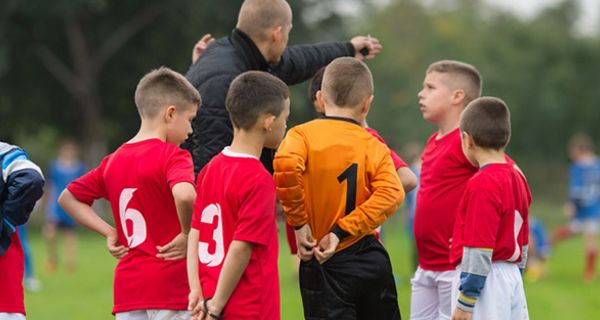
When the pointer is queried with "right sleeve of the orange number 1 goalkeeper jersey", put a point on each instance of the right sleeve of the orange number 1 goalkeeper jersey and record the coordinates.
(386, 196)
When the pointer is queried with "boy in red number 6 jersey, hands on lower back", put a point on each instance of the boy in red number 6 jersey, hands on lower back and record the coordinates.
(149, 182)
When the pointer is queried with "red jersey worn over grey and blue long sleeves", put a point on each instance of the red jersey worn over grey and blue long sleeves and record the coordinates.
(493, 214)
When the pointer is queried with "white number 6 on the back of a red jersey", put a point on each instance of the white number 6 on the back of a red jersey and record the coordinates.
(138, 234)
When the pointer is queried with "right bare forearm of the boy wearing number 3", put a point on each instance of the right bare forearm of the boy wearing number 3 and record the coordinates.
(234, 266)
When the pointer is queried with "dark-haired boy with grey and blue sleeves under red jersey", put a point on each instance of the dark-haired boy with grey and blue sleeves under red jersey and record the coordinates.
(491, 232)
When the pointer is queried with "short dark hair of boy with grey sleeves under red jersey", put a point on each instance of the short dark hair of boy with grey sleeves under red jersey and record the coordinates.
(487, 121)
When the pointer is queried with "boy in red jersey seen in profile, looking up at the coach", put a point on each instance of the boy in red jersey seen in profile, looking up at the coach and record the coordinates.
(448, 87)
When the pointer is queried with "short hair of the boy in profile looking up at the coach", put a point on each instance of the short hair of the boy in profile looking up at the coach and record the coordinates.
(464, 76)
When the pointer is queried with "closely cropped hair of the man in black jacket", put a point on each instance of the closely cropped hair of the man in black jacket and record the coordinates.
(258, 17)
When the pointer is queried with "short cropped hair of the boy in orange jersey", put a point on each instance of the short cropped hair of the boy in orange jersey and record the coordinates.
(347, 82)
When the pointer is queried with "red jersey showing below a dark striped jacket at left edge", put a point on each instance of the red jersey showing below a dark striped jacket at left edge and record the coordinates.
(11, 278)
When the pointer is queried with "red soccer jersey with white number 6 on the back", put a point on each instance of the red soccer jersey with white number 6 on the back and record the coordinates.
(137, 180)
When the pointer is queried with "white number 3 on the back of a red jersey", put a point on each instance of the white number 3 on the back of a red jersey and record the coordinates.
(214, 259)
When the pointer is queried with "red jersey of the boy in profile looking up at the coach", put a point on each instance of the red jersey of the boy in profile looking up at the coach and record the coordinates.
(444, 175)
